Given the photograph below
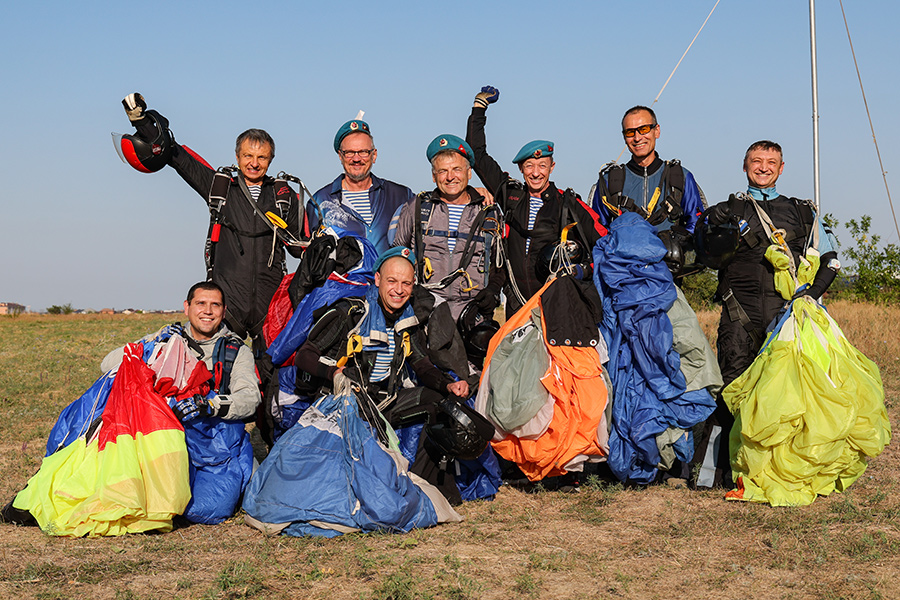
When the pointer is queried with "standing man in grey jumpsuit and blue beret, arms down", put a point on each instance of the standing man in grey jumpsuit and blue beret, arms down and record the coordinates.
(454, 231)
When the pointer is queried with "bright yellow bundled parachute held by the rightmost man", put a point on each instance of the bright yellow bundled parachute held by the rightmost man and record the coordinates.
(809, 412)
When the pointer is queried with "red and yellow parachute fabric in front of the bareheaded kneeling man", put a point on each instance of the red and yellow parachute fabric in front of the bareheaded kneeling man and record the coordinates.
(127, 473)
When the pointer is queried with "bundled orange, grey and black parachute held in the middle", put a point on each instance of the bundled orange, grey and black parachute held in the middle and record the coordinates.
(542, 386)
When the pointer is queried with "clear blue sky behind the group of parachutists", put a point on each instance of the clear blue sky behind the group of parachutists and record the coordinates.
(79, 226)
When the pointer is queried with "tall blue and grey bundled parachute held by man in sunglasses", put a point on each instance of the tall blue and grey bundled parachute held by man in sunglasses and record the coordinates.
(664, 373)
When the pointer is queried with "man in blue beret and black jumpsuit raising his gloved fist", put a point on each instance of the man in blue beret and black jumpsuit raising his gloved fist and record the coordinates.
(536, 211)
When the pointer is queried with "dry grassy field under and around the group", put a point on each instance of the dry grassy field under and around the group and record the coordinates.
(604, 542)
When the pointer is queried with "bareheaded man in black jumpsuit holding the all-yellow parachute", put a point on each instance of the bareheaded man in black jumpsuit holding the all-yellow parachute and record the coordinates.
(732, 238)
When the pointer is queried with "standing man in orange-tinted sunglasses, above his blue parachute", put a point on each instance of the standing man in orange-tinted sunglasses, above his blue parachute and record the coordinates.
(663, 192)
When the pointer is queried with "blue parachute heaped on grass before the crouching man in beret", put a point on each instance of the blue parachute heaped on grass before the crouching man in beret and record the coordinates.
(333, 473)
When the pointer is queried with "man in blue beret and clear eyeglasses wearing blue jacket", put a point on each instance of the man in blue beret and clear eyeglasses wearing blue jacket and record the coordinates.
(357, 201)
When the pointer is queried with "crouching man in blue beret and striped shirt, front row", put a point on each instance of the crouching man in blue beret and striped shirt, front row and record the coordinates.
(385, 342)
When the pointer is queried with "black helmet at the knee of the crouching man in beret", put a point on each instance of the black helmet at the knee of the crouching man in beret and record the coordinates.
(460, 431)
